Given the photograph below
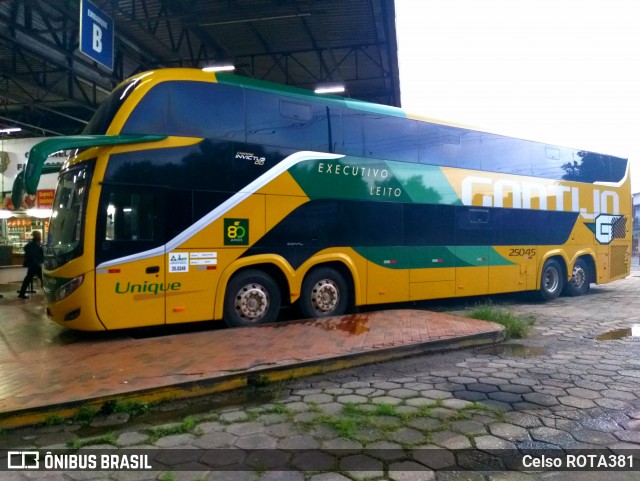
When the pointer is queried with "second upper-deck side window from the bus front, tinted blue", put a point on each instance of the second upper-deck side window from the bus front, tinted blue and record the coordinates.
(286, 122)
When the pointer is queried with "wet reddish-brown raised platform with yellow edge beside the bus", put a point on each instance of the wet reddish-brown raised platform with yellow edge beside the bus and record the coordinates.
(47, 370)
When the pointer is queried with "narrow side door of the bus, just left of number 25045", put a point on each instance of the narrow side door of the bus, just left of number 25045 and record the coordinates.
(473, 238)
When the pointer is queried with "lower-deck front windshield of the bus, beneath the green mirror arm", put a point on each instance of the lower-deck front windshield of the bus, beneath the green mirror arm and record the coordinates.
(64, 241)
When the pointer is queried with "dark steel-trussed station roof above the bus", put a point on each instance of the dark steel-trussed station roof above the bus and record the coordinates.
(50, 88)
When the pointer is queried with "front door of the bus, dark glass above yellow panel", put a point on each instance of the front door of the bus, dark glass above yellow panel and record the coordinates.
(130, 258)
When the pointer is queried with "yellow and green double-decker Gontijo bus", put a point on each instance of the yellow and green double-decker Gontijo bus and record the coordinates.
(199, 196)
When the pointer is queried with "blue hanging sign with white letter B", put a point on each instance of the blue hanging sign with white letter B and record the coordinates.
(96, 34)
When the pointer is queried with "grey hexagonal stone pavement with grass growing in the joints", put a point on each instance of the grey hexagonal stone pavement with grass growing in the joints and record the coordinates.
(558, 388)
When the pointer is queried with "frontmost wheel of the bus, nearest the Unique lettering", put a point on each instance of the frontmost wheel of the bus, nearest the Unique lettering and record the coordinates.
(252, 298)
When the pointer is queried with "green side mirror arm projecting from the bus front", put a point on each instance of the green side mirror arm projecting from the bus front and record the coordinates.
(39, 153)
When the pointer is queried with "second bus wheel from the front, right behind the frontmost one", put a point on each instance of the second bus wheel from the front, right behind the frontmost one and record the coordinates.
(324, 293)
